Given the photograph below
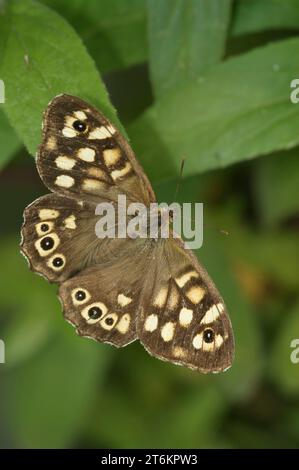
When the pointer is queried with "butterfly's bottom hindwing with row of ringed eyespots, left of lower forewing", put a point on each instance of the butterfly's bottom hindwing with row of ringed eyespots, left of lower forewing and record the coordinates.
(102, 302)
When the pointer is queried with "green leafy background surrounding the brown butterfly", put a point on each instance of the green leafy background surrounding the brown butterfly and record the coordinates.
(209, 81)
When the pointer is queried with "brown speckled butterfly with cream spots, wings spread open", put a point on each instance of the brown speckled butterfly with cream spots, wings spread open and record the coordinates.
(117, 290)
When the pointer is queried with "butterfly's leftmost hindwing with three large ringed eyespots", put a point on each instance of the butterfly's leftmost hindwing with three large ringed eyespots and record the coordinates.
(59, 239)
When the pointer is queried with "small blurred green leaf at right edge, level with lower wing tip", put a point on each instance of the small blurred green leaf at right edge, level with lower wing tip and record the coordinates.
(283, 371)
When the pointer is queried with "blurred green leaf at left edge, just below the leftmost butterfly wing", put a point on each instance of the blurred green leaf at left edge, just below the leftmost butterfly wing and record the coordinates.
(26, 330)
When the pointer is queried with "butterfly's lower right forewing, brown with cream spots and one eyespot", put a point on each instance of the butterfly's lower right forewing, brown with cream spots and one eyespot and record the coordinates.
(182, 317)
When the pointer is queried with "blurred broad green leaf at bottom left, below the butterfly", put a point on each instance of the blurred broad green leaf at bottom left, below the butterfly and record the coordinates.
(49, 398)
